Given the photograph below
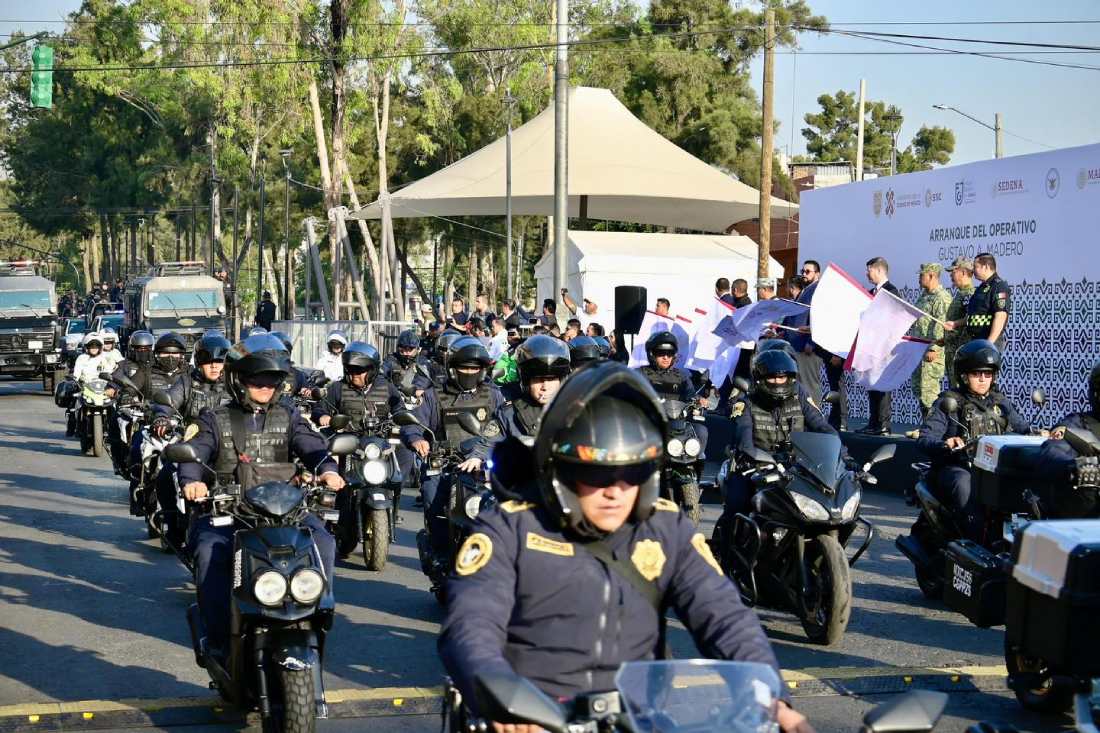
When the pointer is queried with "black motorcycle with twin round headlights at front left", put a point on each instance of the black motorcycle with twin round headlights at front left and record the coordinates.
(282, 605)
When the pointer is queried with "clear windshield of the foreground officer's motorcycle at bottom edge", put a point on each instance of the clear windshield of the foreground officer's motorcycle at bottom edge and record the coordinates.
(699, 696)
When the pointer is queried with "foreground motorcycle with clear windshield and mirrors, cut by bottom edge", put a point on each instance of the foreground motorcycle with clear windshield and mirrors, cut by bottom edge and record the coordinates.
(696, 696)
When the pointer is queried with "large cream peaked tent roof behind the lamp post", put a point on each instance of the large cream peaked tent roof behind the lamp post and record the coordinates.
(626, 171)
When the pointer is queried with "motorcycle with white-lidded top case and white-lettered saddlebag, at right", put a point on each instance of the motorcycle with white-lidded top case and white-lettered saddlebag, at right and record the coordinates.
(1004, 476)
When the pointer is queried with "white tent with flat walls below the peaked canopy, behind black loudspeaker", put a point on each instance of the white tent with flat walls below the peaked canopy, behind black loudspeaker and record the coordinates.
(681, 268)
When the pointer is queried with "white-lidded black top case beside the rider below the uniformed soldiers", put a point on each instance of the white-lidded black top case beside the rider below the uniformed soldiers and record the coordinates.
(1005, 467)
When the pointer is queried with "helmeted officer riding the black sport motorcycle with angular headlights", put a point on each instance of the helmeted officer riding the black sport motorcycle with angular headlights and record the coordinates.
(765, 419)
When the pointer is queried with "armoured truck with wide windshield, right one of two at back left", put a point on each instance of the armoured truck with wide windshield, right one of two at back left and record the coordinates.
(175, 298)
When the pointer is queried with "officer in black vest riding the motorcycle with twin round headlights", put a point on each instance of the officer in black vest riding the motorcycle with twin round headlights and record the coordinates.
(248, 442)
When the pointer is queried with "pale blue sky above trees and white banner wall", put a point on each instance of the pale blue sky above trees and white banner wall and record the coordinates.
(1042, 107)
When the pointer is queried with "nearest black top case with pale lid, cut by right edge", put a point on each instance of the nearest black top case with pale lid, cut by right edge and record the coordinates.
(1054, 595)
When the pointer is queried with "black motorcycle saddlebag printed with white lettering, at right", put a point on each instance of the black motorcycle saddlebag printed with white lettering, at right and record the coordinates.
(975, 584)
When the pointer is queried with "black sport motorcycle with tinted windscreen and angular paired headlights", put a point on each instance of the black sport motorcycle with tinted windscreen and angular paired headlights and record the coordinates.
(789, 553)
